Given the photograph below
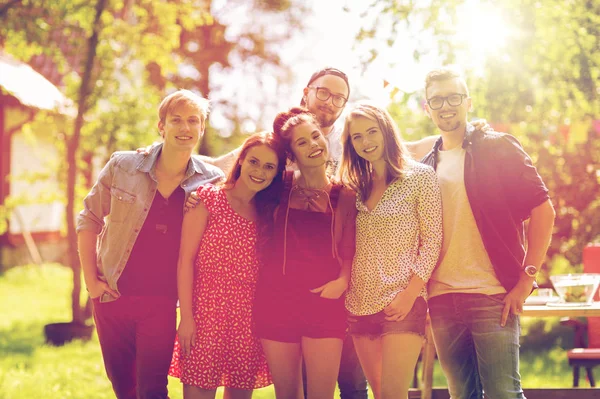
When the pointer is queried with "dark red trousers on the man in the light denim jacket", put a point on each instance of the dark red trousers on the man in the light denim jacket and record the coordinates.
(137, 335)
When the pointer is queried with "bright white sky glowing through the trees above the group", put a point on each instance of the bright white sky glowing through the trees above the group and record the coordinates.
(329, 40)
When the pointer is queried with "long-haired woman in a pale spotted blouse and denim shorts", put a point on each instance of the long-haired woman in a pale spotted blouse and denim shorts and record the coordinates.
(398, 241)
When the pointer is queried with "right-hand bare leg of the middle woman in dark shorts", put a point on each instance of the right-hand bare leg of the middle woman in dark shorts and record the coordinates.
(322, 359)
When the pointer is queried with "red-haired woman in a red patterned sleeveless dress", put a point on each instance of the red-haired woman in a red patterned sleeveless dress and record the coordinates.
(217, 273)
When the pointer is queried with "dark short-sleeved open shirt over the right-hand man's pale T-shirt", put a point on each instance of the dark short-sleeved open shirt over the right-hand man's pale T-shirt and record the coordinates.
(503, 187)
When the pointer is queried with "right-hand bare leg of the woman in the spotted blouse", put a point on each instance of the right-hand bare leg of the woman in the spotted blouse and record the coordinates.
(400, 353)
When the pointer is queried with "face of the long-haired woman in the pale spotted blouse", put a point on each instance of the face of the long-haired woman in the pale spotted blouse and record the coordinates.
(367, 139)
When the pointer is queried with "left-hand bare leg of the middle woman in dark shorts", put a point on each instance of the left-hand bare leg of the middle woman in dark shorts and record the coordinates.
(285, 363)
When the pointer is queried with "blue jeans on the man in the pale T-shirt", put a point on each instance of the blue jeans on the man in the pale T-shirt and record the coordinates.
(475, 352)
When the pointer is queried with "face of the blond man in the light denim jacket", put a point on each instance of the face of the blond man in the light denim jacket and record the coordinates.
(182, 128)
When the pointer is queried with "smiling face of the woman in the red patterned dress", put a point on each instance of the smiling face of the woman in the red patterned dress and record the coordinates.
(258, 168)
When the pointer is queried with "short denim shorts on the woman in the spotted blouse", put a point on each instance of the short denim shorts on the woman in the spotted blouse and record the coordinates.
(376, 326)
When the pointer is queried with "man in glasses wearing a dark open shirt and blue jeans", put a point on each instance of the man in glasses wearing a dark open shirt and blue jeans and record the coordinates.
(489, 187)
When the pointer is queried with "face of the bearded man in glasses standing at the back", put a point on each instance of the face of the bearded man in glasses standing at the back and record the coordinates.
(325, 111)
